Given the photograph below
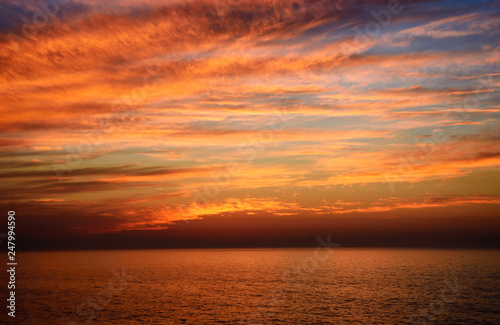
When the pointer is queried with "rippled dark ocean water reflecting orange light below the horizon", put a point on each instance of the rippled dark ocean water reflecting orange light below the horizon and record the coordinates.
(259, 286)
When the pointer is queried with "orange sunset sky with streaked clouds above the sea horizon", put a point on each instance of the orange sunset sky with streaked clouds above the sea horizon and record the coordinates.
(250, 123)
